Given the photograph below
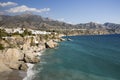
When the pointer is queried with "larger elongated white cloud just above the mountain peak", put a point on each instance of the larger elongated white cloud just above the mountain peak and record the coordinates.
(24, 8)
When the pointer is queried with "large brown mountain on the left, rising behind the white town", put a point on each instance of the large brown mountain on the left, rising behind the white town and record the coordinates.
(31, 21)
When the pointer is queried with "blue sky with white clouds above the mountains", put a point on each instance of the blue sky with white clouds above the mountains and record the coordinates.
(70, 11)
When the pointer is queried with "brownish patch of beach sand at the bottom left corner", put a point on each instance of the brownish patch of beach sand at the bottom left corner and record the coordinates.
(14, 75)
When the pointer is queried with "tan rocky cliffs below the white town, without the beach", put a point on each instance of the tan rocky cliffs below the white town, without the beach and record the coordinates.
(21, 50)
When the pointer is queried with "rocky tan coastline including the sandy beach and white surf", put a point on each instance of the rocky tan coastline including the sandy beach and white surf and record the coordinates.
(17, 62)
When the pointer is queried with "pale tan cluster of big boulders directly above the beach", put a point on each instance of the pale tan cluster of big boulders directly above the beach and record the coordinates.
(14, 58)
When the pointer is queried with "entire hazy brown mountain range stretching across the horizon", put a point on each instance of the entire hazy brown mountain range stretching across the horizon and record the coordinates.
(39, 22)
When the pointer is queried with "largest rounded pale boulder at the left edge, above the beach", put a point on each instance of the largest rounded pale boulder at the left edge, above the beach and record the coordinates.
(12, 58)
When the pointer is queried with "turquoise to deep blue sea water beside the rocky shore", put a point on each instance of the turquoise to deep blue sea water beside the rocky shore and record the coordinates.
(83, 58)
